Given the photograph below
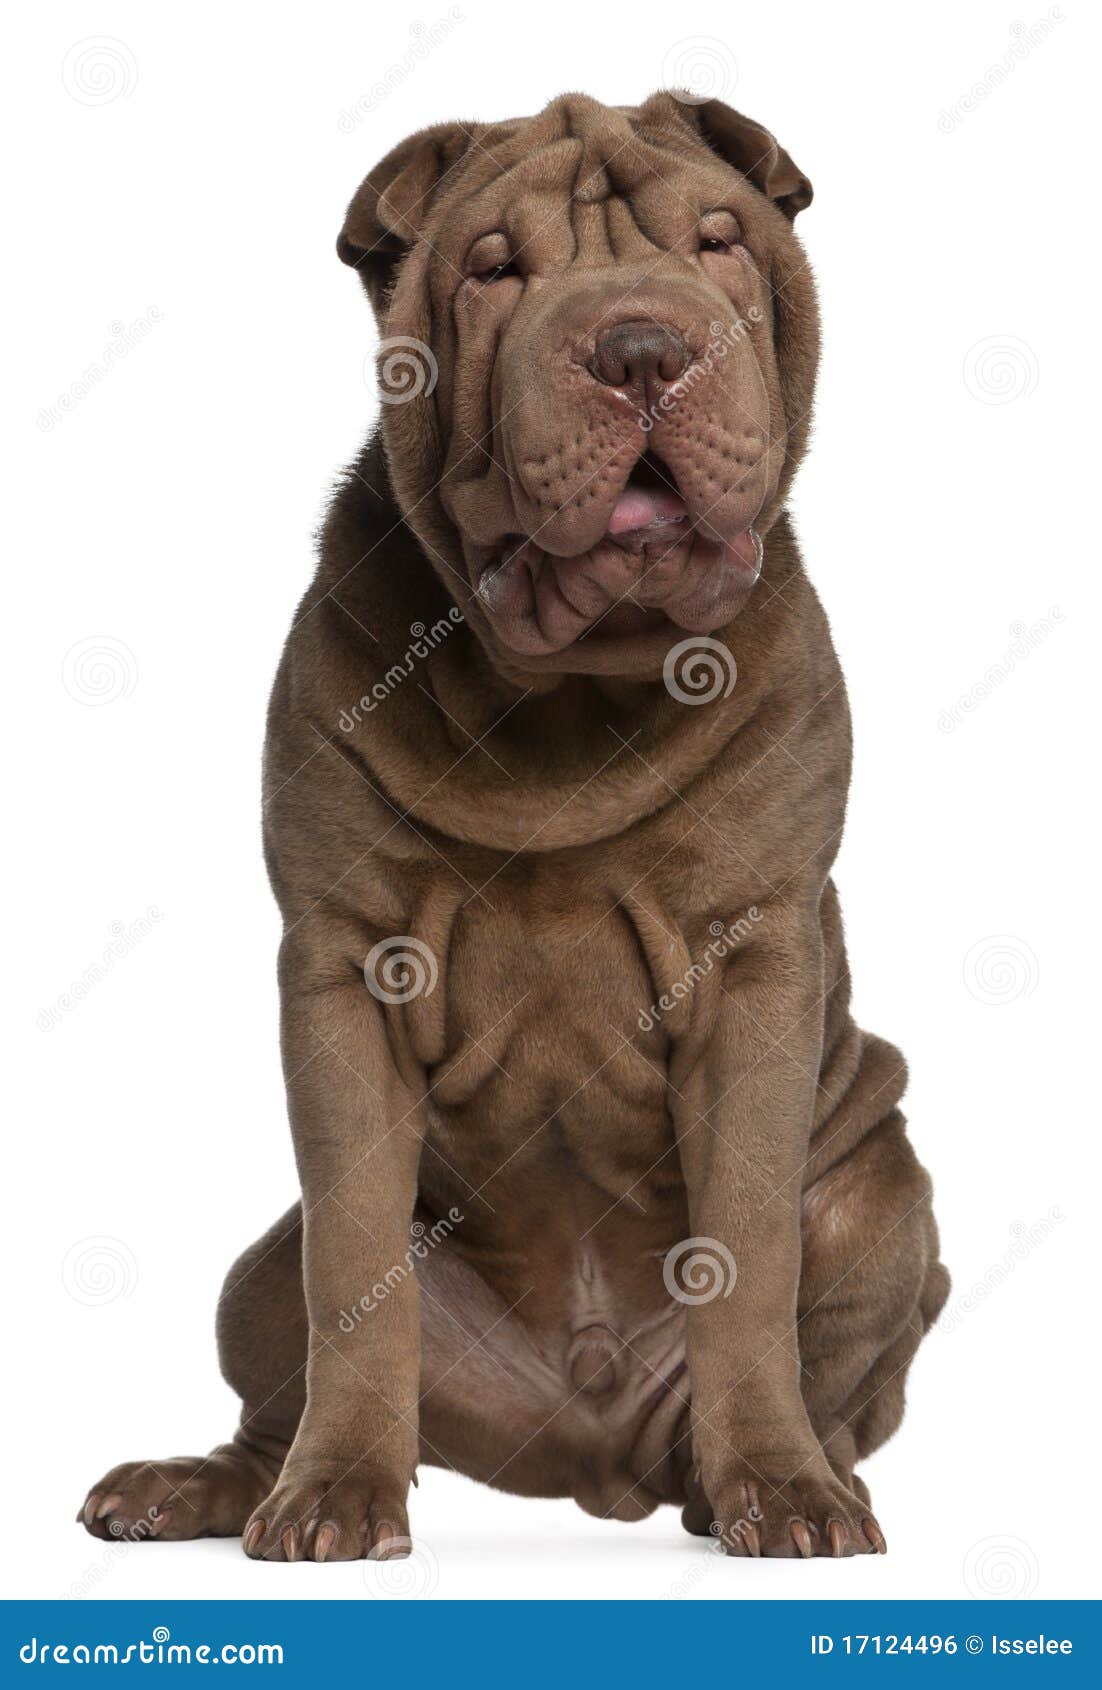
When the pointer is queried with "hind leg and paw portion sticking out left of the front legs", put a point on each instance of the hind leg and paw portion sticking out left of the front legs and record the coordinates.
(263, 1353)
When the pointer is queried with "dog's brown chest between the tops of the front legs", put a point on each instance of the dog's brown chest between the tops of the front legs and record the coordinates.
(550, 1052)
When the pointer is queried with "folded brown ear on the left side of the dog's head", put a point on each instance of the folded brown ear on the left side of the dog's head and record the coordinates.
(391, 204)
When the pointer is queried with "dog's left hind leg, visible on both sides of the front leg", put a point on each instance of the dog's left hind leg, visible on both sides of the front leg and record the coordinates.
(491, 1405)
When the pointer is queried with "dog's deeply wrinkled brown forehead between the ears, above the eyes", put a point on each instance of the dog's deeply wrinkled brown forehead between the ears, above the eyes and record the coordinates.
(582, 183)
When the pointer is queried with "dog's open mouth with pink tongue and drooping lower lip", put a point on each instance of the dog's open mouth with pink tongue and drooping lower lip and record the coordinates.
(657, 567)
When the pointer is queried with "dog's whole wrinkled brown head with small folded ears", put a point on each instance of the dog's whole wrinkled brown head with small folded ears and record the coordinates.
(597, 366)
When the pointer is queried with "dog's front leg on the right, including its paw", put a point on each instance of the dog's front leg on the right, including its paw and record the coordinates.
(745, 1123)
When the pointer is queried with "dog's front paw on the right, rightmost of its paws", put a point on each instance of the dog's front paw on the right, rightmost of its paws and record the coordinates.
(799, 1518)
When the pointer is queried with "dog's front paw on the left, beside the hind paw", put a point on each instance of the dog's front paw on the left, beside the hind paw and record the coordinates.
(320, 1518)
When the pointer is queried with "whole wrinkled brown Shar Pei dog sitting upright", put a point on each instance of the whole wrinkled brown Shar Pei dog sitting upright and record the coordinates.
(560, 746)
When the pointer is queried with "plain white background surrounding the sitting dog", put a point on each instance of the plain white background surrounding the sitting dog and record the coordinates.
(161, 516)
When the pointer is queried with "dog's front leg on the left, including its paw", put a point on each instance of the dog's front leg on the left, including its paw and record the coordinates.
(357, 1140)
